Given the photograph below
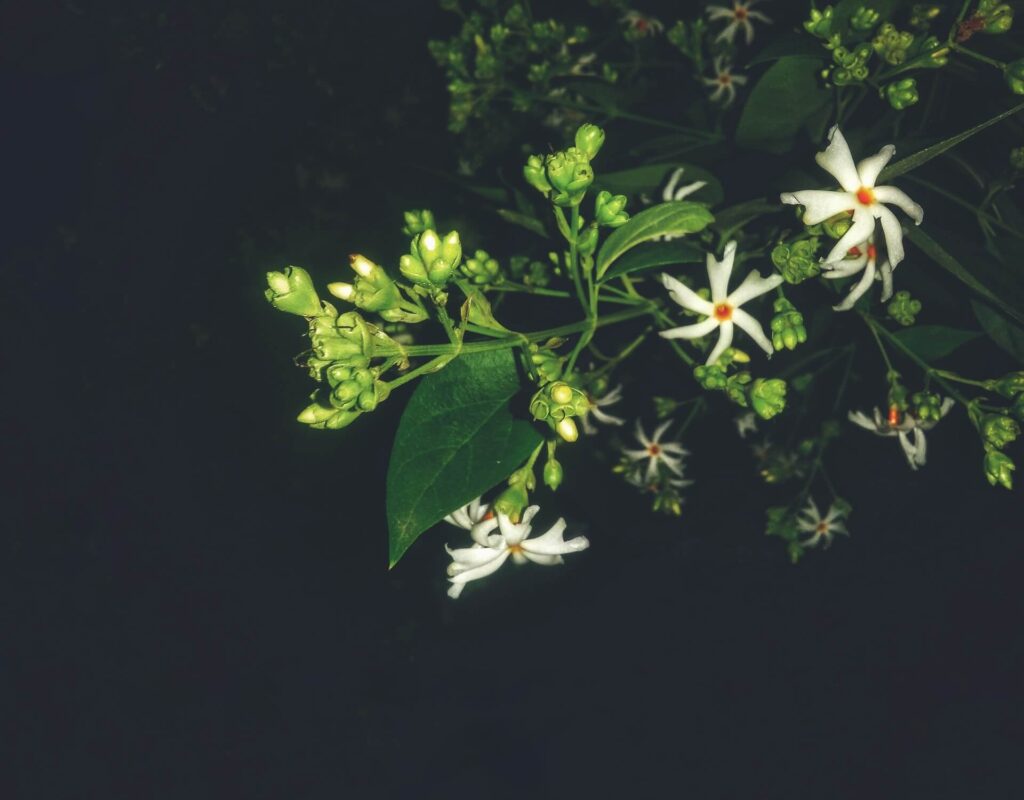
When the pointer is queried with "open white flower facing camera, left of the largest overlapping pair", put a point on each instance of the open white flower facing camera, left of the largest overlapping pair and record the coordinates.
(723, 310)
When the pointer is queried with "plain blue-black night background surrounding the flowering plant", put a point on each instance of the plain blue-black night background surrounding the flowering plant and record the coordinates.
(195, 595)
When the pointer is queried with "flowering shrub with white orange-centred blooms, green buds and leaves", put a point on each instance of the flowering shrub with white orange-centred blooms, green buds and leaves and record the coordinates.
(499, 396)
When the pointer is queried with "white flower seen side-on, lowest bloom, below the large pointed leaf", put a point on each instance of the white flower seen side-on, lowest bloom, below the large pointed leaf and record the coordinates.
(511, 539)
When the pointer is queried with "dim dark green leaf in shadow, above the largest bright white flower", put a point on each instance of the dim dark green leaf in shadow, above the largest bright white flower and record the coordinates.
(781, 103)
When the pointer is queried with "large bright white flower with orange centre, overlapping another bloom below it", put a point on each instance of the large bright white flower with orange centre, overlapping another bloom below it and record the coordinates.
(860, 196)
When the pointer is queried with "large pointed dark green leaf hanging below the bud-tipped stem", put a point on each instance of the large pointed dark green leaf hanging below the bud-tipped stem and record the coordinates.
(457, 439)
